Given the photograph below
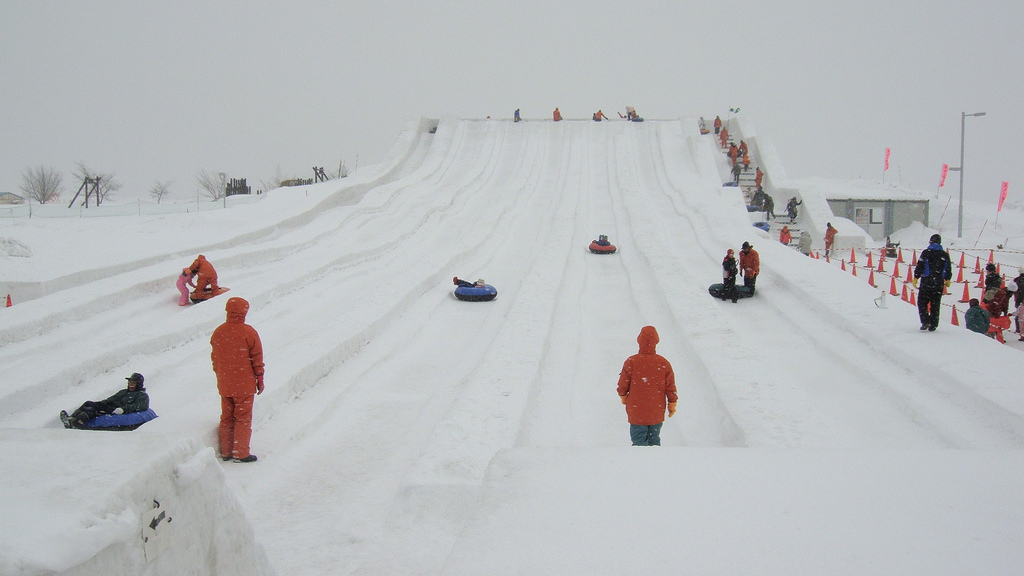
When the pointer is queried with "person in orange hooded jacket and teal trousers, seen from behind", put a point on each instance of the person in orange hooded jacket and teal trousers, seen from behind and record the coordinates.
(648, 389)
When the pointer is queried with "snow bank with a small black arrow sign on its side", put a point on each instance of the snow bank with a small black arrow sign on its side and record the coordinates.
(97, 488)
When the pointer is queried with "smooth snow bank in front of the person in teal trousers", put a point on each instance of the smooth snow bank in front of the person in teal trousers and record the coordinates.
(636, 511)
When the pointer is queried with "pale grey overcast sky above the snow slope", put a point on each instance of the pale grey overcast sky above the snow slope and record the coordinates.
(160, 91)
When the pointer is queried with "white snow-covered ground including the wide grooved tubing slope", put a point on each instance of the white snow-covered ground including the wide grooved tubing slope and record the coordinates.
(405, 432)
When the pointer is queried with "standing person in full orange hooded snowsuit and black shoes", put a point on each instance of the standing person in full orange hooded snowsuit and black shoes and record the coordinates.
(238, 362)
